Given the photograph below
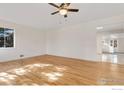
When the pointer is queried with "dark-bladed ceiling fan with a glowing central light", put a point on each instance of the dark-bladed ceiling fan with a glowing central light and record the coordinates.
(63, 9)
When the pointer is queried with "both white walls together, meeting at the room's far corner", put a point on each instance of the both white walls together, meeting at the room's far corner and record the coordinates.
(75, 41)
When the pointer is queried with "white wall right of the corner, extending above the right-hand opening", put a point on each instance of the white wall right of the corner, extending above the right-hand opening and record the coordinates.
(78, 41)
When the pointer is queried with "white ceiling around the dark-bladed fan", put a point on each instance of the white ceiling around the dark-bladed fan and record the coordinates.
(38, 14)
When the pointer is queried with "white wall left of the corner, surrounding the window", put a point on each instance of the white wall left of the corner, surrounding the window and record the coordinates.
(29, 42)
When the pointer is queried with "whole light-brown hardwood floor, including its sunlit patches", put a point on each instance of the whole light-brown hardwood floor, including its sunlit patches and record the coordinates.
(53, 70)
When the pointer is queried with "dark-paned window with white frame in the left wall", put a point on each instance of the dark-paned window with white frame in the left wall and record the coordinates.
(6, 37)
